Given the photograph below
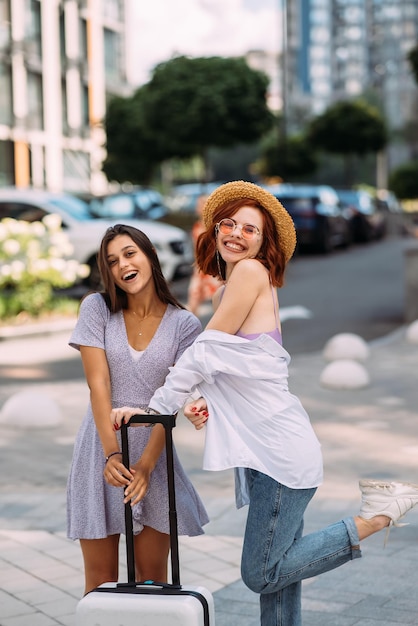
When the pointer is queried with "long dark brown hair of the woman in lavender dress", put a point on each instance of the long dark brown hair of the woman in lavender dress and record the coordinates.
(115, 298)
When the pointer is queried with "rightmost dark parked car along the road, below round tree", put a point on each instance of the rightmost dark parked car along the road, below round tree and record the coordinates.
(367, 219)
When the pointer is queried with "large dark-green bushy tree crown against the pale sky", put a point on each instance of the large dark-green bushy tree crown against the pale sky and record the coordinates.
(189, 106)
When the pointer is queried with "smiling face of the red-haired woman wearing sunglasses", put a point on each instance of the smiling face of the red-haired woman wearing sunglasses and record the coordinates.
(233, 247)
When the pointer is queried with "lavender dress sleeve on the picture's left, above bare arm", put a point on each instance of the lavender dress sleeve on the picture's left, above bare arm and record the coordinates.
(91, 323)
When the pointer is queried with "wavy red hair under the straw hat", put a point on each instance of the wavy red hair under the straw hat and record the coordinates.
(270, 254)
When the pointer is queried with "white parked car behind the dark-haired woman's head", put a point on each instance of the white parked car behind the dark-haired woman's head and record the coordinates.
(173, 245)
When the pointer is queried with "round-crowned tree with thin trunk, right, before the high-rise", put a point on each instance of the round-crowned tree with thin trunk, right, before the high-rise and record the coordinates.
(349, 128)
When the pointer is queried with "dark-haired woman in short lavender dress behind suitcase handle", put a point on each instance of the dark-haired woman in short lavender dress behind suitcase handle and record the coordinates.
(128, 337)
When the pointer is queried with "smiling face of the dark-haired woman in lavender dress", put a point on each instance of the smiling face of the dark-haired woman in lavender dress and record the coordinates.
(129, 266)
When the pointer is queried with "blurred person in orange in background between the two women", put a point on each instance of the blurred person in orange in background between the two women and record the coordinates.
(201, 286)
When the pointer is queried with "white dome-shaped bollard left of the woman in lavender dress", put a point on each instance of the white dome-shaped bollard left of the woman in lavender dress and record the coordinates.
(30, 409)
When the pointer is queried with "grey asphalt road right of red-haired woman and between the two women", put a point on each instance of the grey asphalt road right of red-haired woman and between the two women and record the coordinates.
(358, 290)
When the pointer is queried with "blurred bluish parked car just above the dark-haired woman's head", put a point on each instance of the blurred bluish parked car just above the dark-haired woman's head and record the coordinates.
(138, 204)
